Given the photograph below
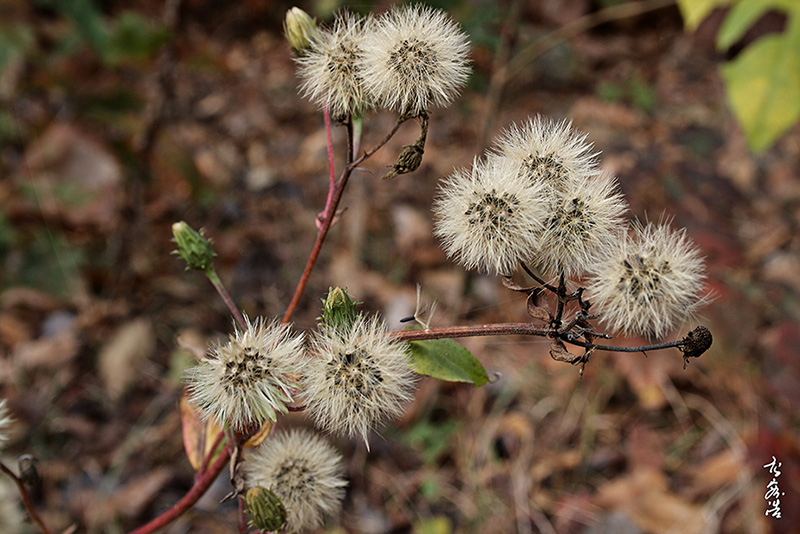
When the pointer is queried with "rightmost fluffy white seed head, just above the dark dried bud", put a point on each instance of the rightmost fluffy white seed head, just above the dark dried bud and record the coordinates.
(650, 282)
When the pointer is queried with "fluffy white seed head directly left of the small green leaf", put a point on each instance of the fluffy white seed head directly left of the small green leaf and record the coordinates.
(356, 376)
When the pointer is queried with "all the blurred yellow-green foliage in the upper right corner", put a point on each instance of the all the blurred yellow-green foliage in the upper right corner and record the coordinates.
(763, 81)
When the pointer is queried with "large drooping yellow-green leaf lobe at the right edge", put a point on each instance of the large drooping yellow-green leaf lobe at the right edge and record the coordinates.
(763, 86)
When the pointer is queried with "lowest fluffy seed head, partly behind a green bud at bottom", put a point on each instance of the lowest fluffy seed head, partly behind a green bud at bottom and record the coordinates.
(304, 470)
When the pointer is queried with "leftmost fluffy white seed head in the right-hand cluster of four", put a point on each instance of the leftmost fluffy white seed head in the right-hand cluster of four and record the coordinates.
(489, 218)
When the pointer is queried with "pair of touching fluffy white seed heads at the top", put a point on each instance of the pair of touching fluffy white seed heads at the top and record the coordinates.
(409, 59)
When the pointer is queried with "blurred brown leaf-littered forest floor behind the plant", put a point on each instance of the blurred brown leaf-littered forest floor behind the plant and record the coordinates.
(115, 124)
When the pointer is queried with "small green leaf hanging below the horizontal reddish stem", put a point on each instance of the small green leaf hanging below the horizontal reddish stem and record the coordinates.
(444, 359)
